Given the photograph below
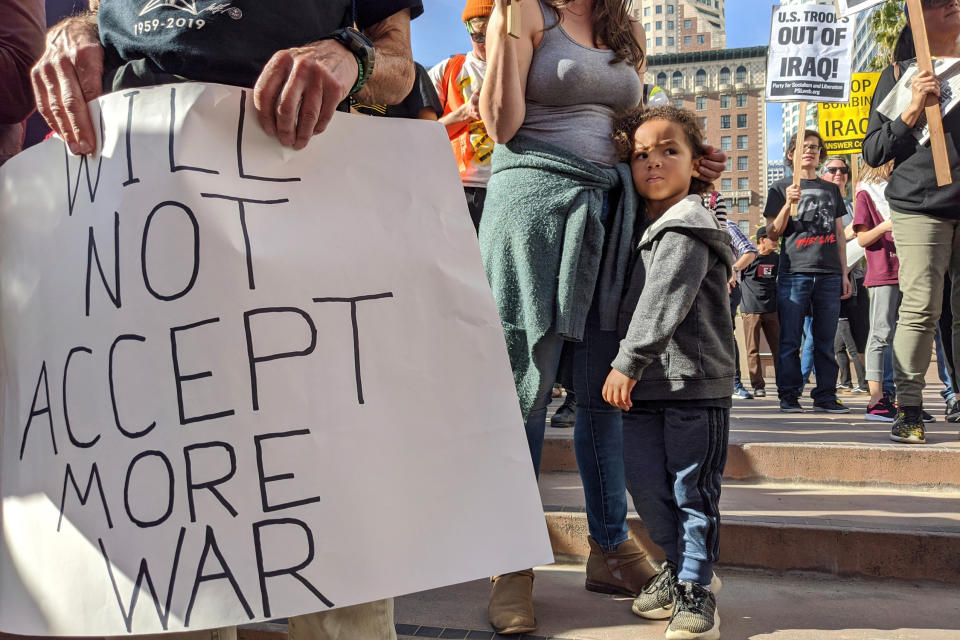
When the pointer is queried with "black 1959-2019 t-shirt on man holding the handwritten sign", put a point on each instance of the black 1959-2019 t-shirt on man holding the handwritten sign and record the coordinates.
(155, 41)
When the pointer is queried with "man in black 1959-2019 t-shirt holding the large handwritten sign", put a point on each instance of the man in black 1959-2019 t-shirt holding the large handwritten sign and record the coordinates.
(301, 58)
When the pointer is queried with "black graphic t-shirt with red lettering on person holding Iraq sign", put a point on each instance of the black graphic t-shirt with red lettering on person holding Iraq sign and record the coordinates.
(809, 243)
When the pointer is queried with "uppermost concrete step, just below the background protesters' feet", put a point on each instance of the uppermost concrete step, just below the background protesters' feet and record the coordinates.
(833, 449)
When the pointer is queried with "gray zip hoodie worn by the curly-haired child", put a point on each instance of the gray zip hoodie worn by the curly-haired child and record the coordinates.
(675, 314)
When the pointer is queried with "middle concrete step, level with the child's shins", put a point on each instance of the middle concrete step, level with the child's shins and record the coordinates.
(876, 532)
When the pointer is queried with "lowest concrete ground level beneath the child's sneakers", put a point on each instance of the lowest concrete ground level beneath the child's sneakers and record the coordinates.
(753, 605)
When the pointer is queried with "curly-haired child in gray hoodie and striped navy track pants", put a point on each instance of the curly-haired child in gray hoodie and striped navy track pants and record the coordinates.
(674, 371)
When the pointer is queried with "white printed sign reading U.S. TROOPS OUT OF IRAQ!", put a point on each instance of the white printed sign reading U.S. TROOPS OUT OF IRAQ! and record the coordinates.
(810, 55)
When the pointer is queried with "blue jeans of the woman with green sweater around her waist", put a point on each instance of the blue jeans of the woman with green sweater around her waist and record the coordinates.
(597, 432)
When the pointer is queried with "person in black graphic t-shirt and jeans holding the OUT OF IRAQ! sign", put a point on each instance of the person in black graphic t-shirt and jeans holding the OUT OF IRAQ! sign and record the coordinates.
(813, 273)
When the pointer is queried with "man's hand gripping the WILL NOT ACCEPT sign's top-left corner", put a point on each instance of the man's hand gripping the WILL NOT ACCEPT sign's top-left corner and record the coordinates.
(68, 75)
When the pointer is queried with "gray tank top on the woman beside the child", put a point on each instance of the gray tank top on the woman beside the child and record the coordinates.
(573, 92)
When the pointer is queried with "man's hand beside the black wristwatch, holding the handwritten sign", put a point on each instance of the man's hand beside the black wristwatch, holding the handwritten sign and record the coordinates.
(299, 90)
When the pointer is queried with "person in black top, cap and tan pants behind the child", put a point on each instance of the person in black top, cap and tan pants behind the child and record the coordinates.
(758, 307)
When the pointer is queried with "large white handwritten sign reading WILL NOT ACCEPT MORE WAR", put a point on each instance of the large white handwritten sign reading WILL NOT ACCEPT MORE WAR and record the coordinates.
(241, 382)
